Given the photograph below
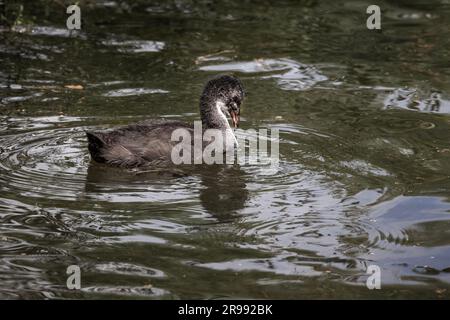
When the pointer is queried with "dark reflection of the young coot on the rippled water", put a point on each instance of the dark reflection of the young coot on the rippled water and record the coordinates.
(222, 190)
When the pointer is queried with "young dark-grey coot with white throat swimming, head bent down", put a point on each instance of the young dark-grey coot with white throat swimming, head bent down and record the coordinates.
(149, 142)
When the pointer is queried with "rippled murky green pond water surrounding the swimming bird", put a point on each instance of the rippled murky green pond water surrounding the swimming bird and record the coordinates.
(364, 120)
